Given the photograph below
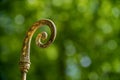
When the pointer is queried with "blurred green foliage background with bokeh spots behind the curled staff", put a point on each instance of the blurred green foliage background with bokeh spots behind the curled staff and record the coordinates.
(87, 46)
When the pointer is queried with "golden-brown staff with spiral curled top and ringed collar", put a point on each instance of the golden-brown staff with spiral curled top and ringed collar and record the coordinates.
(25, 55)
